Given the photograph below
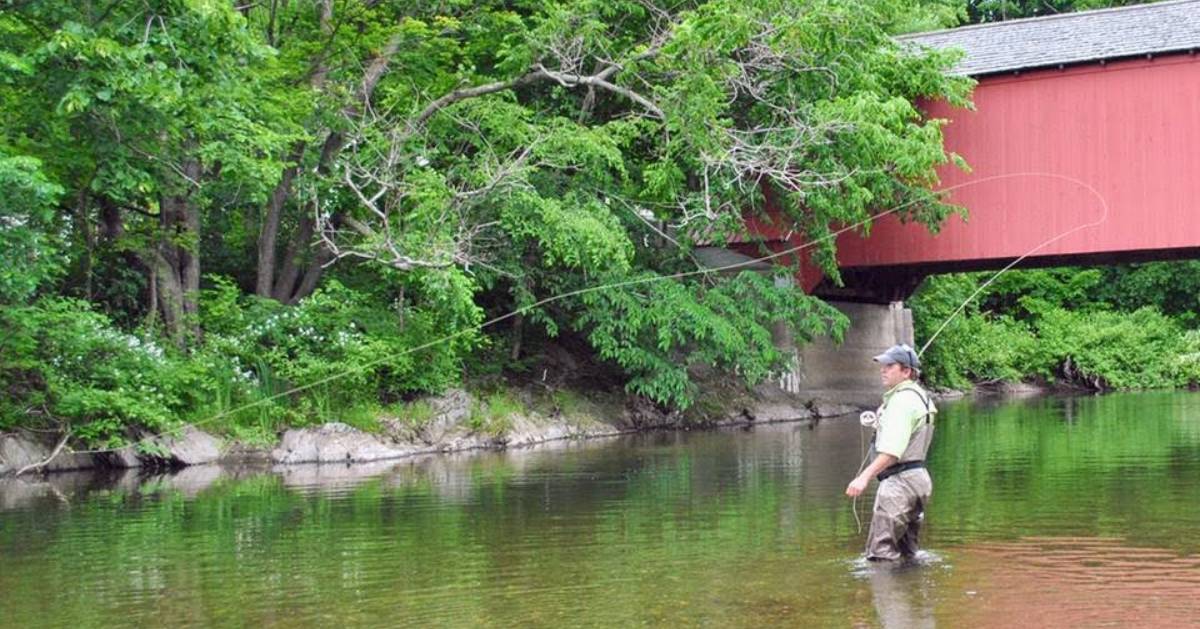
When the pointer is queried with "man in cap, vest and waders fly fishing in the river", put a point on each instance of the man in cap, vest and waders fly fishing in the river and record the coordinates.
(904, 429)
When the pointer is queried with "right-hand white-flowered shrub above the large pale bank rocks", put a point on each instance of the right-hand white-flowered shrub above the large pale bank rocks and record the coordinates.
(340, 348)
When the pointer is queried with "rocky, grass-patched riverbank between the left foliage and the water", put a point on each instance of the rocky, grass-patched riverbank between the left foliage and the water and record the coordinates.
(455, 422)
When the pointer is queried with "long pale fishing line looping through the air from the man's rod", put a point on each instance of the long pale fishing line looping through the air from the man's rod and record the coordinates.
(592, 290)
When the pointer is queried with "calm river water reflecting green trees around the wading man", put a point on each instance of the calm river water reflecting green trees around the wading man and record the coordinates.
(1052, 512)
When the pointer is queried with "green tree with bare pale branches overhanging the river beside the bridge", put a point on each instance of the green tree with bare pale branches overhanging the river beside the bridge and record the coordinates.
(596, 142)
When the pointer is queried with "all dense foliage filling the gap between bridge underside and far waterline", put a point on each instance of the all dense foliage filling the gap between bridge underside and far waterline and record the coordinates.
(1130, 327)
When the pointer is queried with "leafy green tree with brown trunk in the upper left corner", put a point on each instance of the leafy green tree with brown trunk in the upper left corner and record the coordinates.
(152, 116)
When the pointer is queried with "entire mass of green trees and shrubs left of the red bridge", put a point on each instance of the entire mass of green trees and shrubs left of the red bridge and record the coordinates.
(211, 203)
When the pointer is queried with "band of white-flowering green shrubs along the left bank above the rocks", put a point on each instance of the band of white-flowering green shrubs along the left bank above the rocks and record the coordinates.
(261, 363)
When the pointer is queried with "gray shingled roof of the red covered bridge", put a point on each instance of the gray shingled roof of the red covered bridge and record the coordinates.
(1071, 38)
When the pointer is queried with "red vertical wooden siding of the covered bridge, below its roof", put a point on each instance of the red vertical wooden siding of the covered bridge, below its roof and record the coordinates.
(1129, 129)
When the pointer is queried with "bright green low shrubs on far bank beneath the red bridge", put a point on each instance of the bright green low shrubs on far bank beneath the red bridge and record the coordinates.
(1089, 346)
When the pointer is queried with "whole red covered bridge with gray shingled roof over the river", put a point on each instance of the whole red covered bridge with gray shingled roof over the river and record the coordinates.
(1108, 100)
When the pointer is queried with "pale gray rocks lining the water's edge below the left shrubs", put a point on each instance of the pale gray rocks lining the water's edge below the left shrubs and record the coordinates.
(449, 430)
